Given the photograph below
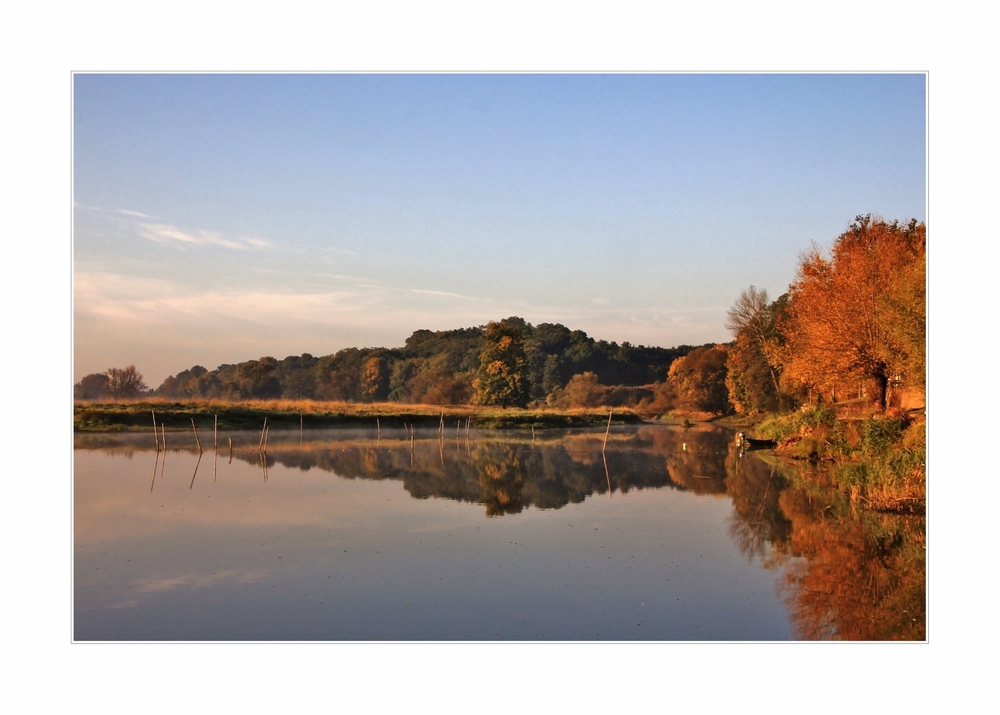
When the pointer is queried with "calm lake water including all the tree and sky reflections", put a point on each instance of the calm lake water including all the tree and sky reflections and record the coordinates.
(350, 535)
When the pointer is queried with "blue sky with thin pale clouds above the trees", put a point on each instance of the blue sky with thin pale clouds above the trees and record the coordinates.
(221, 218)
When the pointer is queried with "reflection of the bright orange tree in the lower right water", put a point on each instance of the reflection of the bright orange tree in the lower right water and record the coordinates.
(863, 577)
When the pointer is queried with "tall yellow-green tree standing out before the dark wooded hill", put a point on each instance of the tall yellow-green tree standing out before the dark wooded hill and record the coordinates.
(502, 379)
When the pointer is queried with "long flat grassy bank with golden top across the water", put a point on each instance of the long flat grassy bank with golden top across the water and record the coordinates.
(290, 414)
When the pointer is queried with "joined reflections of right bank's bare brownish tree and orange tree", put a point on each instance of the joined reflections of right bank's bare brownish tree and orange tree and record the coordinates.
(844, 575)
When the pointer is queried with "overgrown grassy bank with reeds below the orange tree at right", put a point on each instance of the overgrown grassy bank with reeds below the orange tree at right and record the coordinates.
(879, 461)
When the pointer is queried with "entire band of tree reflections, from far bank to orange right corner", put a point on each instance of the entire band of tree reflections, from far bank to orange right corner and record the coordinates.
(843, 574)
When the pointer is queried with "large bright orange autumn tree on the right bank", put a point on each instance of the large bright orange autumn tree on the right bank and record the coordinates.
(841, 320)
